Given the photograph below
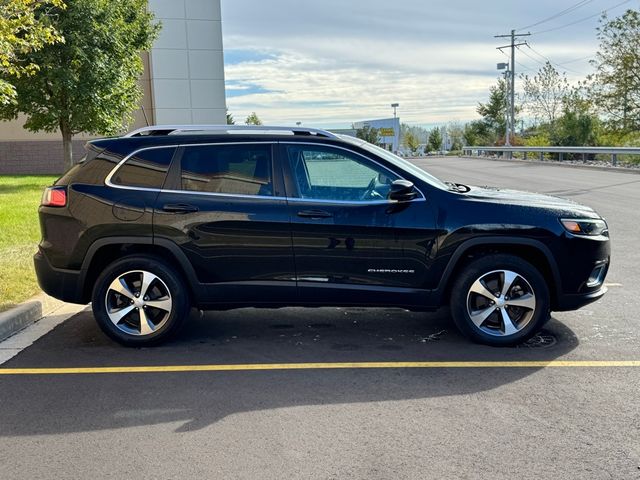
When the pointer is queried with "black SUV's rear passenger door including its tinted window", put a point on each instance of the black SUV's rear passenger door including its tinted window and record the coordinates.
(225, 207)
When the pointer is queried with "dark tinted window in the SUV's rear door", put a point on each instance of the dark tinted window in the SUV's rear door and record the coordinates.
(232, 169)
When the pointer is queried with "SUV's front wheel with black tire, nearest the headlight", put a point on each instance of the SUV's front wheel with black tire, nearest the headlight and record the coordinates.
(517, 313)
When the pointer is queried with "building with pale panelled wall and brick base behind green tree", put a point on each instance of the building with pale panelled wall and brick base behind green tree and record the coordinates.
(183, 83)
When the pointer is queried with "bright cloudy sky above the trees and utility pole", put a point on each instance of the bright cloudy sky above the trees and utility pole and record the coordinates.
(328, 63)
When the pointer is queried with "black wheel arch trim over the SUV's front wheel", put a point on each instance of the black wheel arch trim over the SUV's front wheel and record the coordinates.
(531, 250)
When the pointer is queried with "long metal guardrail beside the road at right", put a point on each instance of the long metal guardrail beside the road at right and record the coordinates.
(560, 151)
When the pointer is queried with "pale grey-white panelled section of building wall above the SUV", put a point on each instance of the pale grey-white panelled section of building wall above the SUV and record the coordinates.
(187, 65)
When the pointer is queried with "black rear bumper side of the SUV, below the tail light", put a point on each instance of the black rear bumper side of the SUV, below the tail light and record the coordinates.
(62, 284)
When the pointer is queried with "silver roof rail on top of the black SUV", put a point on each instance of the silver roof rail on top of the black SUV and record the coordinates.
(183, 129)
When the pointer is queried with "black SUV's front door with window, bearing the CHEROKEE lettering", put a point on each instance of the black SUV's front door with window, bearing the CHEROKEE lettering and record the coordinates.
(345, 231)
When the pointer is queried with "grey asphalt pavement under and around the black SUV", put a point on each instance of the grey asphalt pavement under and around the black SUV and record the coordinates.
(465, 421)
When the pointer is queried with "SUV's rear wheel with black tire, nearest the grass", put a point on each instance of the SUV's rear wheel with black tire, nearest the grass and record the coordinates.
(162, 300)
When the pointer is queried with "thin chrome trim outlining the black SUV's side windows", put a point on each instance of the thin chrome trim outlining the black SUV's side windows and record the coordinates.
(108, 180)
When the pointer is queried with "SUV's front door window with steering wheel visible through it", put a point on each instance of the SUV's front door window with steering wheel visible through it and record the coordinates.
(326, 173)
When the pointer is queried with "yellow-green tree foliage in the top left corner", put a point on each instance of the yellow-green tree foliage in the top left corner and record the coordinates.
(25, 27)
